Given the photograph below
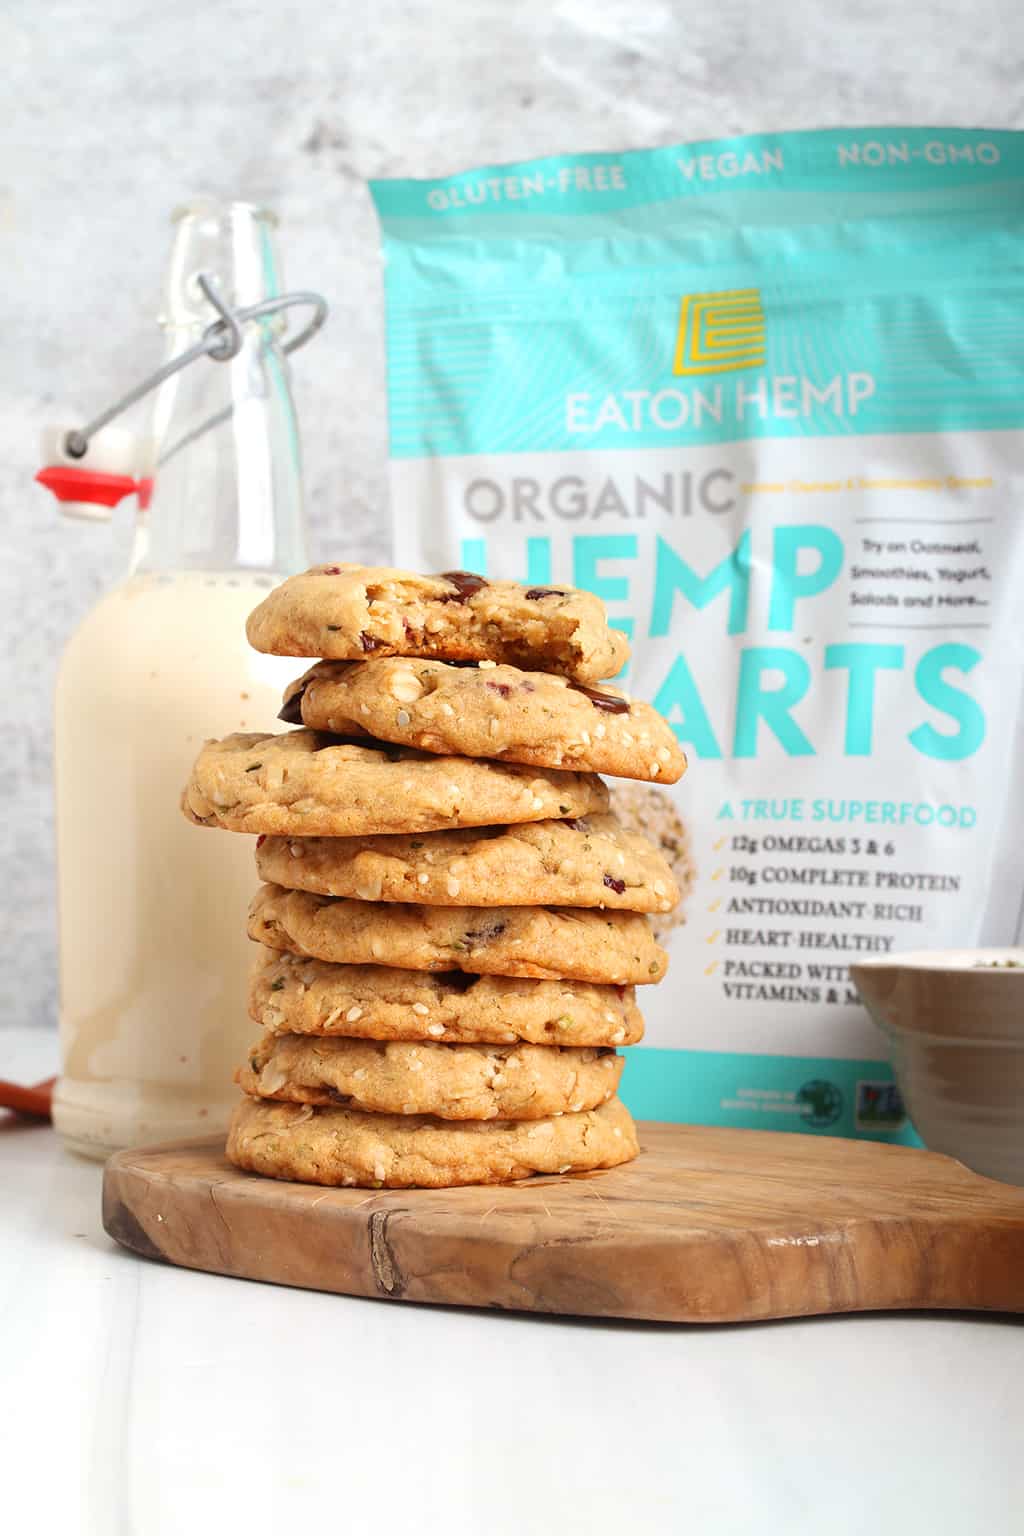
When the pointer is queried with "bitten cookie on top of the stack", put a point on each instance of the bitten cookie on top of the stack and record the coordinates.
(351, 612)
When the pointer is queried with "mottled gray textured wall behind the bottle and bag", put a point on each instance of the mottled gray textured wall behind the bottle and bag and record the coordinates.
(114, 113)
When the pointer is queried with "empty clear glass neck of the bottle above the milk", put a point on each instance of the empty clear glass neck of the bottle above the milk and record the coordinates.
(228, 477)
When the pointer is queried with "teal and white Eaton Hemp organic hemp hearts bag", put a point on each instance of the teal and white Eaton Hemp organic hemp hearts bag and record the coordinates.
(765, 399)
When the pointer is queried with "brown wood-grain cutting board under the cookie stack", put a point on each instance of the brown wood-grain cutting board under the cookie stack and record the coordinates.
(707, 1226)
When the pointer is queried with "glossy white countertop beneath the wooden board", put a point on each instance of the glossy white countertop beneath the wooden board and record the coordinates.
(153, 1402)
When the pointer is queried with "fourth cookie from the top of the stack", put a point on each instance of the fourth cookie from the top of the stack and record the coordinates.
(584, 862)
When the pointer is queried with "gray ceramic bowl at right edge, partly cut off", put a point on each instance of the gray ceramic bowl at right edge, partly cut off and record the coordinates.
(956, 1024)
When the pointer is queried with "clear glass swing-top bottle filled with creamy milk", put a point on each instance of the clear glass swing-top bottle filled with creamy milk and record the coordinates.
(153, 912)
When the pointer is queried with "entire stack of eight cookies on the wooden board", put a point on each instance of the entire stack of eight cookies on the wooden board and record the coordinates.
(452, 924)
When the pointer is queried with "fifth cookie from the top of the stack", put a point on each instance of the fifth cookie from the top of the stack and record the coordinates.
(550, 942)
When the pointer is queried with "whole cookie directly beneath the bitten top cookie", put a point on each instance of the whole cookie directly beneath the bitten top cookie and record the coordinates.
(489, 712)
